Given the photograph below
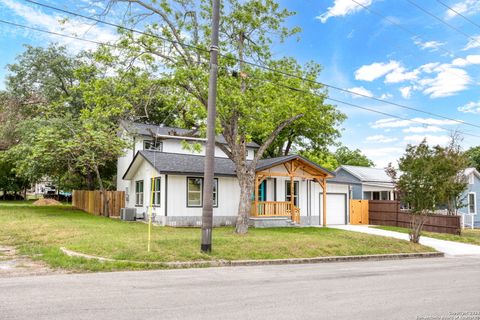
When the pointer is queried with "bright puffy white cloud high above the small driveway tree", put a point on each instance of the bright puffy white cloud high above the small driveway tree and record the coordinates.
(447, 82)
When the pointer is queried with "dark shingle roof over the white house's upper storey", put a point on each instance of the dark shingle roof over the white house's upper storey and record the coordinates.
(147, 130)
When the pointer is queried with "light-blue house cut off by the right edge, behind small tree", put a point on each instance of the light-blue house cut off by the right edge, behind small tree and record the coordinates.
(469, 198)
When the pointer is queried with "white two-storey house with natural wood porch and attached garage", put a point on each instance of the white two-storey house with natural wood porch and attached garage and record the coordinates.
(177, 173)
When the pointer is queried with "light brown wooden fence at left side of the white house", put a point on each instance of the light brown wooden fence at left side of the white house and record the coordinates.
(93, 202)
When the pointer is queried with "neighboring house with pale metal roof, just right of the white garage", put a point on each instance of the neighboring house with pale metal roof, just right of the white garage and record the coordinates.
(366, 183)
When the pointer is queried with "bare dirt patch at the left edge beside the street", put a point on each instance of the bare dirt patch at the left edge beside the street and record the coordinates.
(14, 265)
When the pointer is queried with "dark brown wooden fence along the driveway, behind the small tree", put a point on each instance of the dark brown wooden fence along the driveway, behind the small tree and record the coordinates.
(388, 213)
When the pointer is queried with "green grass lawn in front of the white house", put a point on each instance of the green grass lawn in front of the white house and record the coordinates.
(41, 231)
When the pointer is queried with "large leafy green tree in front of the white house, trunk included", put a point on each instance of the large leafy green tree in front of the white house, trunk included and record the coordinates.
(253, 104)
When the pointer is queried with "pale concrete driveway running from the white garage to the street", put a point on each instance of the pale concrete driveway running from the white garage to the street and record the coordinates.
(450, 248)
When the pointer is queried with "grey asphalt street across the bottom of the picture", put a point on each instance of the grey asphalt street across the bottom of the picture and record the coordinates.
(403, 289)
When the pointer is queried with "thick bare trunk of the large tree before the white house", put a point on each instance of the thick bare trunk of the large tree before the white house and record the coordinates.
(245, 179)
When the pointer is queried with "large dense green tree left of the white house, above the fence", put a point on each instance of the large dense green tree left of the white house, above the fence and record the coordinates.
(62, 113)
